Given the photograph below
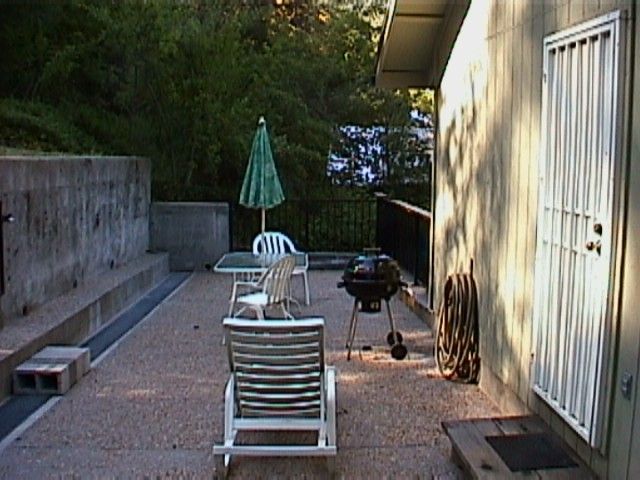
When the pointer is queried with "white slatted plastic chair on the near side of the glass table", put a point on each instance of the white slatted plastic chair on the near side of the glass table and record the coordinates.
(270, 290)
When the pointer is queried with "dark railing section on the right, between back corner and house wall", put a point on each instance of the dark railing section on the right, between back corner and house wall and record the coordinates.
(403, 231)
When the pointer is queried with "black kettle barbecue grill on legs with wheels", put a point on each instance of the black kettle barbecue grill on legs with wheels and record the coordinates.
(371, 278)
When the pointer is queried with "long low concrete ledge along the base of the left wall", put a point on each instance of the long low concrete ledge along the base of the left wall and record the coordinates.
(76, 315)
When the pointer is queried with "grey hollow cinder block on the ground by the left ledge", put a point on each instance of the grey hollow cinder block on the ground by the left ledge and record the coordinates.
(53, 370)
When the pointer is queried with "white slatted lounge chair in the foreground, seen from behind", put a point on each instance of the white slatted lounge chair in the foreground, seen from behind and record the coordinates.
(279, 382)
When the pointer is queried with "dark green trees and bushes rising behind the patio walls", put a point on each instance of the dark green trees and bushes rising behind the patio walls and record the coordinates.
(184, 83)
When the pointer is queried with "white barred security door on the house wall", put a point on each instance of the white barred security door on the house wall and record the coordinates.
(576, 188)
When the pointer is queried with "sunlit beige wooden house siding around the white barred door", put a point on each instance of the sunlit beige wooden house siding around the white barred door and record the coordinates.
(489, 109)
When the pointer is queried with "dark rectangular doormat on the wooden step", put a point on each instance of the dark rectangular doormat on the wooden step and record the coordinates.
(530, 451)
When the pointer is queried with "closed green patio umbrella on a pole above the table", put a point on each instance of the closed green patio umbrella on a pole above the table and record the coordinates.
(261, 185)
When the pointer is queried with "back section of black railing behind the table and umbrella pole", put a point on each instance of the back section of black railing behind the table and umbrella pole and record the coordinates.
(313, 225)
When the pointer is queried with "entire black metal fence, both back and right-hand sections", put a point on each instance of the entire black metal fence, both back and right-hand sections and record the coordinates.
(400, 229)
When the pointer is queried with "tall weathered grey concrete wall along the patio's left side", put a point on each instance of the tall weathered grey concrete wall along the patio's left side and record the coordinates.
(74, 218)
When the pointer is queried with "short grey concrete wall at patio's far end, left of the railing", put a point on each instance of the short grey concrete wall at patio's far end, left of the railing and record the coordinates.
(194, 234)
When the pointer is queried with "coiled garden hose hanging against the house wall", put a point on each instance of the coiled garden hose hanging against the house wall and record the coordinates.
(456, 345)
